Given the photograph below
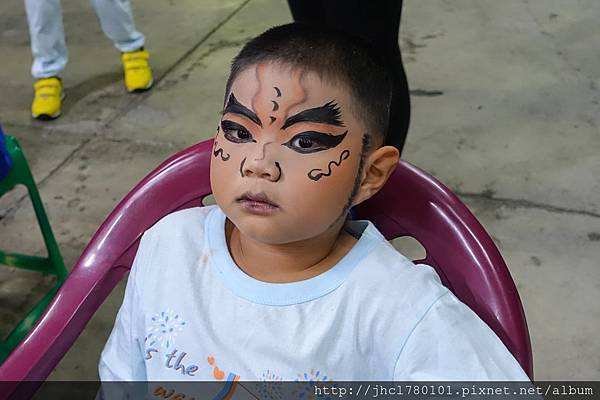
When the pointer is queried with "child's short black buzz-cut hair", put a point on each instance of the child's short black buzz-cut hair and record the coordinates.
(334, 56)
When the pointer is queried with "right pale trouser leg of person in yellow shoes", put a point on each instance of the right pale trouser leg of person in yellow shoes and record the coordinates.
(117, 23)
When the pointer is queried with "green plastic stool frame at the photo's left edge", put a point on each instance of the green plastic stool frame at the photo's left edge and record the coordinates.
(20, 173)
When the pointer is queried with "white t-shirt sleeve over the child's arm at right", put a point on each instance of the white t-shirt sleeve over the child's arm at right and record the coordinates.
(451, 342)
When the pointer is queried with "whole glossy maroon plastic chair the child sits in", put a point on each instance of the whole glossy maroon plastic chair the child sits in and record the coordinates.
(411, 204)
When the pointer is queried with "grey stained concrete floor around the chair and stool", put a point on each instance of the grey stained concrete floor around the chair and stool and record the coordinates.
(506, 112)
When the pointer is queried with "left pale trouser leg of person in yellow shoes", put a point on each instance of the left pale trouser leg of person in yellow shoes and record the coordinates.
(46, 31)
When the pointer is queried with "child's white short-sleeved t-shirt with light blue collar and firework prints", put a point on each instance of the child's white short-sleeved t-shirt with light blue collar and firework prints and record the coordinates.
(190, 313)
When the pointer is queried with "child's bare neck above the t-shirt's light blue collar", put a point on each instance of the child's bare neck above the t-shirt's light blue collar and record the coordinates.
(290, 262)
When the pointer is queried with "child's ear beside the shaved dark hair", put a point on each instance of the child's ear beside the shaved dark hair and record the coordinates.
(378, 167)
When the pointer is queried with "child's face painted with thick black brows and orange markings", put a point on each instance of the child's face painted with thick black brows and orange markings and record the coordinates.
(286, 154)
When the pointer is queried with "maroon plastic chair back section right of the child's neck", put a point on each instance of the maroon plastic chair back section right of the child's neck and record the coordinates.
(413, 203)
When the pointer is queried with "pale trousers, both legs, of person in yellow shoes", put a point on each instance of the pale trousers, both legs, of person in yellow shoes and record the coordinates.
(46, 30)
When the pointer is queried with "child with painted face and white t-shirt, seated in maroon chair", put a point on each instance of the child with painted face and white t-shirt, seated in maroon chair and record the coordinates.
(275, 282)
